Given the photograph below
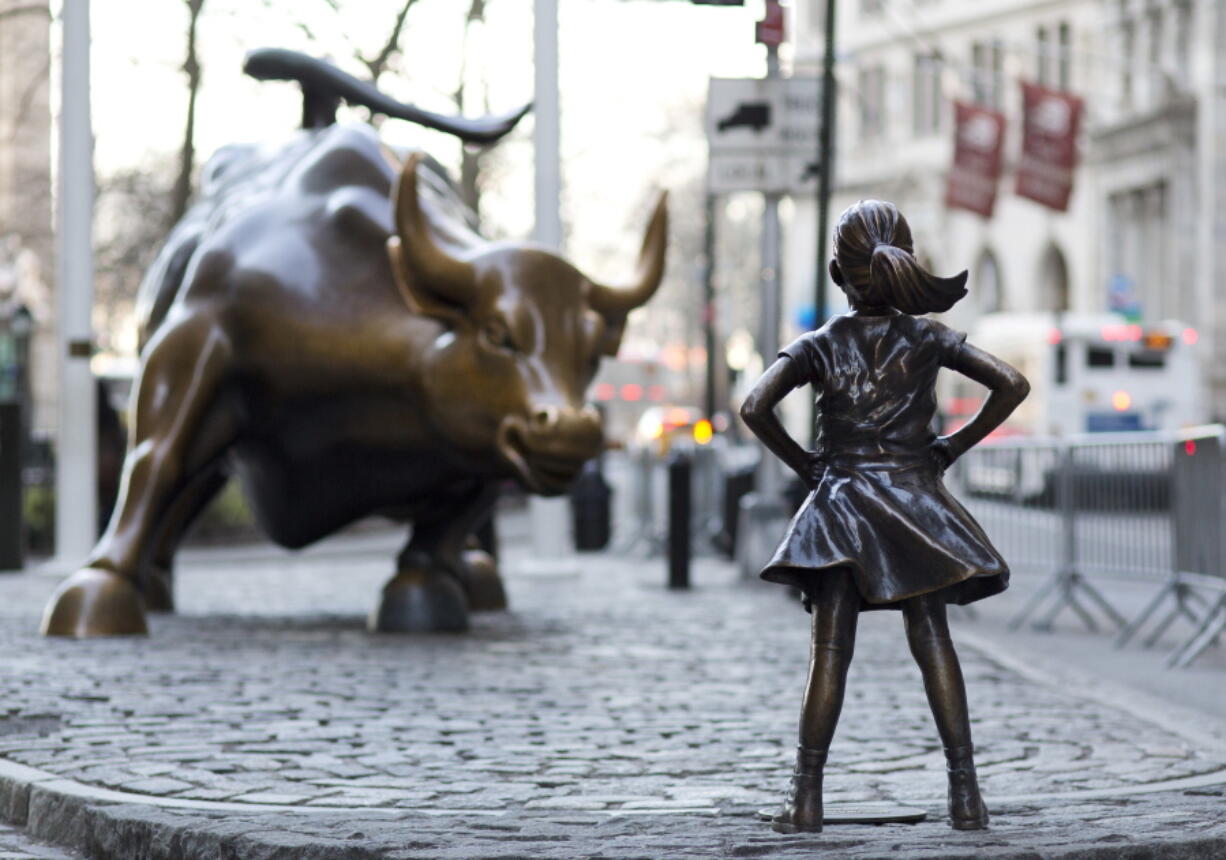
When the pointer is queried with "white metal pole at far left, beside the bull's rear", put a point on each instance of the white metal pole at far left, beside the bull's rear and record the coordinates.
(77, 443)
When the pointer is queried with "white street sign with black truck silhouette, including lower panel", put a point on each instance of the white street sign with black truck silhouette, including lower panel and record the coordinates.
(763, 136)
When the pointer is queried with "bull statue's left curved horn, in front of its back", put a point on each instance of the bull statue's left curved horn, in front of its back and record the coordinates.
(428, 266)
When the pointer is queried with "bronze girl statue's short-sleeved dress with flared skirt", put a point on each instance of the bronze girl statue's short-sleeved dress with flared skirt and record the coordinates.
(880, 507)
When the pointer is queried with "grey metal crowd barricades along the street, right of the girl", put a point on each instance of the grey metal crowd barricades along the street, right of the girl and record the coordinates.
(1141, 506)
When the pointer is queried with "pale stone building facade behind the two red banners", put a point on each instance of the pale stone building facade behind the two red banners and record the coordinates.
(1144, 223)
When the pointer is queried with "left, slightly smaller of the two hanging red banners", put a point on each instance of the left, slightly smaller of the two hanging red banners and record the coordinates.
(979, 143)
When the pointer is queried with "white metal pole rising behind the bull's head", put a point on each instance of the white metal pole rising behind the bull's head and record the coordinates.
(550, 517)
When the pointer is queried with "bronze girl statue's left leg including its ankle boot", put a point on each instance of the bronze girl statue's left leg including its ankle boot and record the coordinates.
(836, 607)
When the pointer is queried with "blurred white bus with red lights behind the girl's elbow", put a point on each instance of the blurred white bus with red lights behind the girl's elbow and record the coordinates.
(1089, 374)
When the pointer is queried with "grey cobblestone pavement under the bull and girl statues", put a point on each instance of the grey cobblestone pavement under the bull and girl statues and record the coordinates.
(604, 717)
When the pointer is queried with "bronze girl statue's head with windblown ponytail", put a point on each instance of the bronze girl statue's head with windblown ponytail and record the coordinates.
(875, 255)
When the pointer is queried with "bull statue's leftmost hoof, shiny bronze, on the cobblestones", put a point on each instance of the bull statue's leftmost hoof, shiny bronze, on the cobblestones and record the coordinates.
(95, 603)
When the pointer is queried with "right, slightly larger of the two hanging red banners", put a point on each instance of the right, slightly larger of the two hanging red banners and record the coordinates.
(1049, 145)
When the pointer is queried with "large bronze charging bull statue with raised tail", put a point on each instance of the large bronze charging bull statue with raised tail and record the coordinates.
(327, 327)
